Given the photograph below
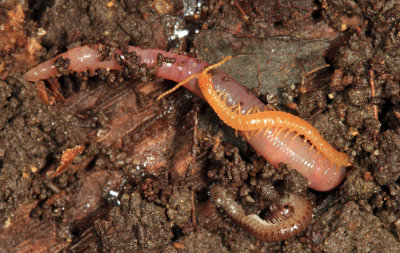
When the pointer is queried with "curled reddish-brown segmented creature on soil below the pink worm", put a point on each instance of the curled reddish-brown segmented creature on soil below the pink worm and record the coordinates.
(292, 215)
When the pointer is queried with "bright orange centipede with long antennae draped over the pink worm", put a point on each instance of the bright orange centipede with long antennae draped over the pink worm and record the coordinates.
(259, 122)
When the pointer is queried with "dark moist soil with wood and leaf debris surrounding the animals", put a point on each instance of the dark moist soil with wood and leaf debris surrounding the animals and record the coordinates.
(91, 162)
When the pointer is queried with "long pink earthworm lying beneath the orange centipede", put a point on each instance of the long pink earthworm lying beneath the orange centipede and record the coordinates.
(275, 146)
